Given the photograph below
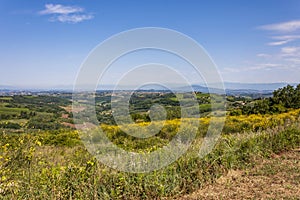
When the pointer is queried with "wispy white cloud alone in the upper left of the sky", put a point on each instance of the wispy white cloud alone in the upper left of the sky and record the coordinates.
(65, 14)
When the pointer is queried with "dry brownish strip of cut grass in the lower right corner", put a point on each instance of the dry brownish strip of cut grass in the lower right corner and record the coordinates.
(274, 178)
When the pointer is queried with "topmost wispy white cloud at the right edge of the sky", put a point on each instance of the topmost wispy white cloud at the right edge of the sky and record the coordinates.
(289, 26)
